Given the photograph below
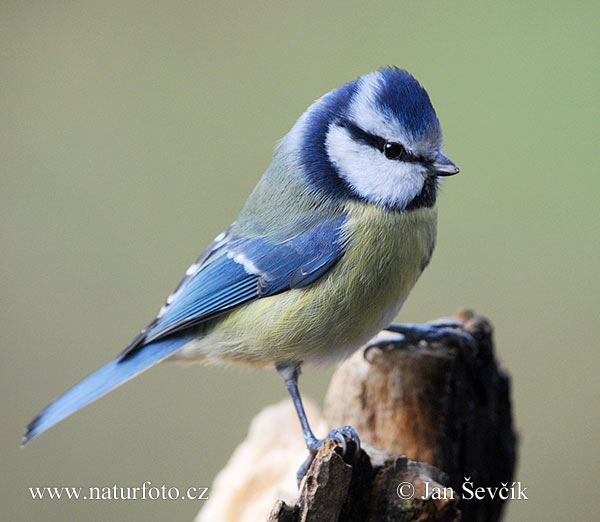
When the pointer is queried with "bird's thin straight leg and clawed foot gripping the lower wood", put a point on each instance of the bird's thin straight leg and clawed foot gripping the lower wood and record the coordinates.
(290, 373)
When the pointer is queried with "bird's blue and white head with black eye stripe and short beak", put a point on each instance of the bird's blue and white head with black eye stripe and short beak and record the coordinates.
(376, 138)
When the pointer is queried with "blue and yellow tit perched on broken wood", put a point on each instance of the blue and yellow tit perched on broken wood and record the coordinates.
(321, 257)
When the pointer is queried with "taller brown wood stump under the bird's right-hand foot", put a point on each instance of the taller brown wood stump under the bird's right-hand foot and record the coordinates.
(448, 406)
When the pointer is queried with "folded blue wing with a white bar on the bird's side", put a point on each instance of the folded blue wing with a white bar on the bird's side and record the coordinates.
(239, 269)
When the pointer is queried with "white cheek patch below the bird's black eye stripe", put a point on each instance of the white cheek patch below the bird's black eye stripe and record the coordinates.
(371, 175)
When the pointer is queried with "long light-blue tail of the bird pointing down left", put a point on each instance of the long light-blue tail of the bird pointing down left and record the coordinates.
(100, 382)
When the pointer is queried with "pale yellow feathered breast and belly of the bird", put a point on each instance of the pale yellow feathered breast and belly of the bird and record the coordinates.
(385, 254)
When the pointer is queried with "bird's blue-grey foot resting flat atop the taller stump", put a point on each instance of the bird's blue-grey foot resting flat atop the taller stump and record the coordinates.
(412, 334)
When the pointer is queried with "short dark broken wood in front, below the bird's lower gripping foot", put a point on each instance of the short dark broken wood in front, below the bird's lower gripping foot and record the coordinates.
(364, 488)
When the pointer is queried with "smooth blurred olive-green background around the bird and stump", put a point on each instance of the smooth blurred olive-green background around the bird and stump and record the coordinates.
(132, 133)
